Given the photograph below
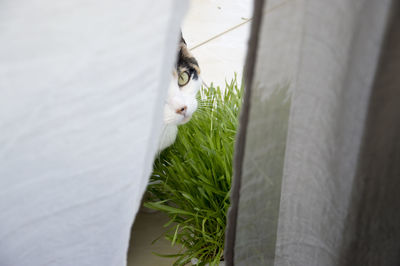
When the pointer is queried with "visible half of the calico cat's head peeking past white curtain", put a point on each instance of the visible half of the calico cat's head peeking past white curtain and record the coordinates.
(181, 100)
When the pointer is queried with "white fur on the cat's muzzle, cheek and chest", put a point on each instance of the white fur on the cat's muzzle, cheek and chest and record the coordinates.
(177, 98)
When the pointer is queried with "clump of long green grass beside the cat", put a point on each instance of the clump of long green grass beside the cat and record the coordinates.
(191, 179)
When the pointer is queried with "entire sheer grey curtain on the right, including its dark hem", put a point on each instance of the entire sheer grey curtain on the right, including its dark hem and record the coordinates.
(317, 163)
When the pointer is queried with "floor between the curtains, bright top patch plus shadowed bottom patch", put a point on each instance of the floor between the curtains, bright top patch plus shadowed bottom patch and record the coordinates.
(216, 31)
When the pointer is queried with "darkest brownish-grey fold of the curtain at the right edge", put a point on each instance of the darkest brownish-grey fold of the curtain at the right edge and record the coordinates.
(372, 225)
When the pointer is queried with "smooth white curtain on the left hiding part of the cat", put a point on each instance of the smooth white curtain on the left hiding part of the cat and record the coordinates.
(81, 90)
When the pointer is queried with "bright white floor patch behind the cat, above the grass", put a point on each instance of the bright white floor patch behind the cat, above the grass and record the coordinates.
(217, 32)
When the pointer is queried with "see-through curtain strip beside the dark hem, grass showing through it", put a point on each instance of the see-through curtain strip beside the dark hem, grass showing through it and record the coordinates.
(266, 139)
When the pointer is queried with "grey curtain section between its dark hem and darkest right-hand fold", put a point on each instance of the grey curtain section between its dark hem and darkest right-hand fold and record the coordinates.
(315, 68)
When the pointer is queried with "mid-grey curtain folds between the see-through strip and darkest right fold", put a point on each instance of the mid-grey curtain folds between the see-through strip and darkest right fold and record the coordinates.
(341, 43)
